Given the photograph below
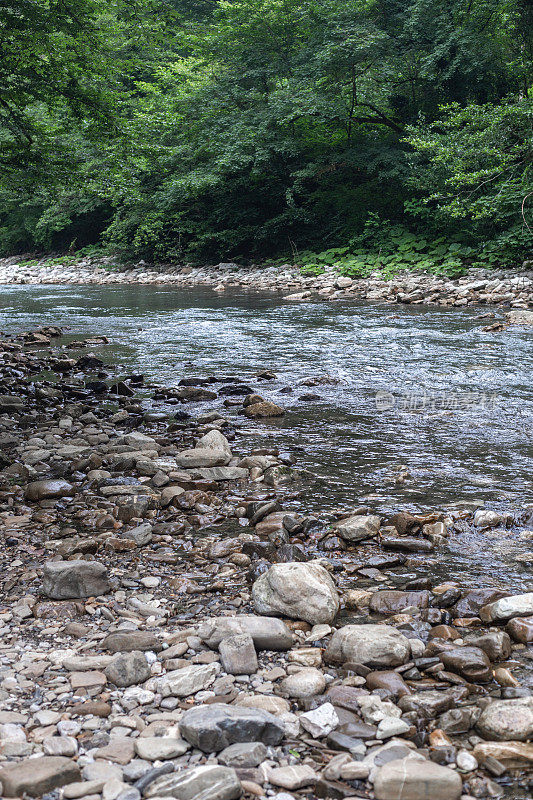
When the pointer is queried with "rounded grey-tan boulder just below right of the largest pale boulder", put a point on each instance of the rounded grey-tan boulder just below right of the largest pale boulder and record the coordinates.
(370, 645)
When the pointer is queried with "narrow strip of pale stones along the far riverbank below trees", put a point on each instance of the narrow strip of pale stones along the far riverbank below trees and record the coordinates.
(507, 288)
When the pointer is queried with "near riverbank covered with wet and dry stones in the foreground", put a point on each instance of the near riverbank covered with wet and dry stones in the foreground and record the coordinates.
(173, 624)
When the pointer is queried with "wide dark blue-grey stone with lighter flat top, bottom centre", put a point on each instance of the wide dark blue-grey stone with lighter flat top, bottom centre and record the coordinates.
(214, 727)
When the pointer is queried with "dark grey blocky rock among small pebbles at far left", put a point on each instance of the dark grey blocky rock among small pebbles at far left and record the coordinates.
(66, 580)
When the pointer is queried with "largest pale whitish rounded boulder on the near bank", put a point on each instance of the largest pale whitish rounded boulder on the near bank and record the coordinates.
(300, 591)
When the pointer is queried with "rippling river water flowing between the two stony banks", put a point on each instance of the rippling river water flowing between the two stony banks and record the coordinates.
(408, 407)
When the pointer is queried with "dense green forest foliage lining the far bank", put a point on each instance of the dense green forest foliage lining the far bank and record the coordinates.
(370, 133)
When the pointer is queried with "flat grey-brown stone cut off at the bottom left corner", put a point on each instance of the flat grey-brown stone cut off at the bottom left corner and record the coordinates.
(37, 776)
